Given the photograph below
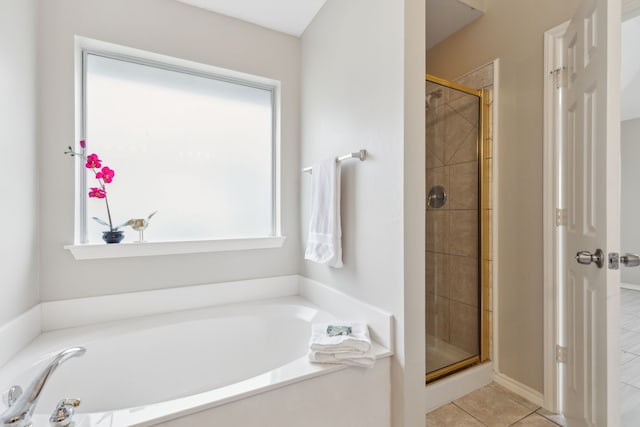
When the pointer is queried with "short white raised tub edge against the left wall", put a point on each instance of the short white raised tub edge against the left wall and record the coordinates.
(19, 332)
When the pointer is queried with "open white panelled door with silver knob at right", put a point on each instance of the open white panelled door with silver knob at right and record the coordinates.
(591, 121)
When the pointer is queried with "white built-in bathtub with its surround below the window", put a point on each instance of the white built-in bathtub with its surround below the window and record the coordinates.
(208, 372)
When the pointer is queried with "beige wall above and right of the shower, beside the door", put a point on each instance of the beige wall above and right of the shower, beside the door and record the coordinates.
(513, 32)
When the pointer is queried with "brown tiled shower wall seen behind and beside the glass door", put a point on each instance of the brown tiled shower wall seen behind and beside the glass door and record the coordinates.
(452, 231)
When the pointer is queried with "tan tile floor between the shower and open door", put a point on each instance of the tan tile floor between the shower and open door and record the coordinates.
(492, 406)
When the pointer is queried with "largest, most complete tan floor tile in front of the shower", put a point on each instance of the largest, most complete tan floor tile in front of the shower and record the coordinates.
(494, 406)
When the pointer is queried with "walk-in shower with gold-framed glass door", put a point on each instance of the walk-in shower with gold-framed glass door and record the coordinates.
(456, 333)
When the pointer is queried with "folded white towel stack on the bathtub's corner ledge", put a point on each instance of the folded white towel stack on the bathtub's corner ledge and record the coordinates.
(358, 341)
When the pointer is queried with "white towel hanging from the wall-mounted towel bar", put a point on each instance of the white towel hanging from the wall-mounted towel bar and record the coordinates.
(324, 243)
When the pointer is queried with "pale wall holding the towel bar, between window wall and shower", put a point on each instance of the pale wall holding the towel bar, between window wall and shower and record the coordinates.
(353, 97)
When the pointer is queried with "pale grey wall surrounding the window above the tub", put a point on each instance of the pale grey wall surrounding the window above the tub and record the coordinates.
(171, 28)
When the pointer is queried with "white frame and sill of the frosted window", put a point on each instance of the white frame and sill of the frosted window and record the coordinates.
(83, 250)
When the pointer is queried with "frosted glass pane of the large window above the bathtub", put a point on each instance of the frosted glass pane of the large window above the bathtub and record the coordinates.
(197, 149)
